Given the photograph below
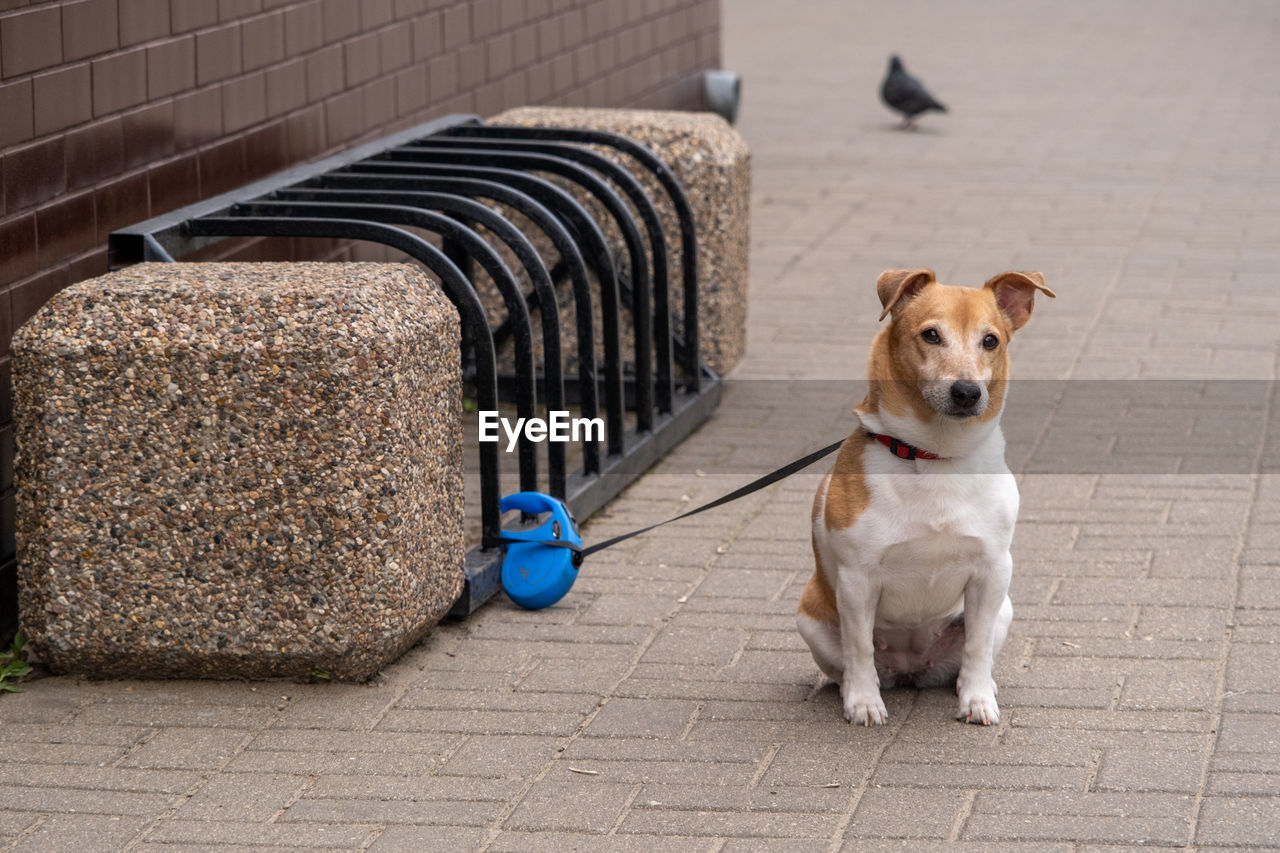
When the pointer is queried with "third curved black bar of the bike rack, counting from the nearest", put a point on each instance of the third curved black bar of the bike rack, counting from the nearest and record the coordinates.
(525, 253)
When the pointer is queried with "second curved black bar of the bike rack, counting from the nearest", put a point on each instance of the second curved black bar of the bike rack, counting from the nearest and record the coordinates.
(527, 400)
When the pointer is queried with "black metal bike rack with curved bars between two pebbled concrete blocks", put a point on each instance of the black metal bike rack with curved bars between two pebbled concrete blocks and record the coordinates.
(442, 177)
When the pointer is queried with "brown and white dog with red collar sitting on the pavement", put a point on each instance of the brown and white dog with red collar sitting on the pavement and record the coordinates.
(912, 527)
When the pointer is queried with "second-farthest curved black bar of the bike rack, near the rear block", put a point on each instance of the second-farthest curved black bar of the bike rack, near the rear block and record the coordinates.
(648, 215)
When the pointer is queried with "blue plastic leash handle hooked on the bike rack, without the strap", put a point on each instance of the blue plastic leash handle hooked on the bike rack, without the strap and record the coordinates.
(540, 567)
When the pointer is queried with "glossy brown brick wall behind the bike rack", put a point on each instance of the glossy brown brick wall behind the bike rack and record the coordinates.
(117, 111)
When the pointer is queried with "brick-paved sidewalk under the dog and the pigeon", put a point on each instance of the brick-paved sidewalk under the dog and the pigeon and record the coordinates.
(1132, 153)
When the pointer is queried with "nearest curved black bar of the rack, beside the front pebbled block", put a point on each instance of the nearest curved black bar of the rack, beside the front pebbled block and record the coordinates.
(456, 288)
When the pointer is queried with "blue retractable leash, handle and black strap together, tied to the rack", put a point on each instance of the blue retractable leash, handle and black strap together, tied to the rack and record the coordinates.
(542, 563)
